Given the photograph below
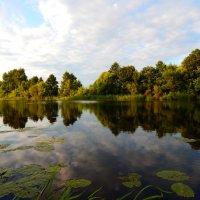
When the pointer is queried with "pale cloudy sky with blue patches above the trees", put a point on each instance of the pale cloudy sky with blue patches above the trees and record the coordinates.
(85, 37)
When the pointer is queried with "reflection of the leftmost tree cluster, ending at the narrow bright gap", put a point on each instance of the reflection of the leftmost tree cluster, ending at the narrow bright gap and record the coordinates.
(16, 113)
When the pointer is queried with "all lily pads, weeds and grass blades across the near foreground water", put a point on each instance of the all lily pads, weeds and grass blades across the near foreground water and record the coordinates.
(36, 182)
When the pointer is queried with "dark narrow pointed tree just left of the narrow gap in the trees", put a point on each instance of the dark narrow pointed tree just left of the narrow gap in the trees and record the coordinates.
(51, 86)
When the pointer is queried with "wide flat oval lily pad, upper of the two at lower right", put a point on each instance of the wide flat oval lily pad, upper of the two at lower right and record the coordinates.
(172, 175)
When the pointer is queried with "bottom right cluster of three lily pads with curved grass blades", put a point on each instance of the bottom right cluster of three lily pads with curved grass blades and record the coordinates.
(178, 188)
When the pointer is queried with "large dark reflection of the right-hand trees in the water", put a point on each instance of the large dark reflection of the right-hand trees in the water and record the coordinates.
(162, 117)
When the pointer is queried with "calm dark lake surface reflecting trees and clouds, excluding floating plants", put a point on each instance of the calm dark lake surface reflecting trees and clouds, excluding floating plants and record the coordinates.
(105, 140)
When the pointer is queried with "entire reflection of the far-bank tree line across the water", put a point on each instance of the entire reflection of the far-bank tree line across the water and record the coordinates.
(162, 117)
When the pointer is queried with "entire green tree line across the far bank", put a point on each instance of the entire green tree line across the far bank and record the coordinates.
(157, 81)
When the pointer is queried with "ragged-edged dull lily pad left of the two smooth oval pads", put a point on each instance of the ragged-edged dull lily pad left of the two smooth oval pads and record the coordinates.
(132, 180)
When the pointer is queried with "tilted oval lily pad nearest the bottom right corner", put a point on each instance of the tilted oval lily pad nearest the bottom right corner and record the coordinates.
(182, 190)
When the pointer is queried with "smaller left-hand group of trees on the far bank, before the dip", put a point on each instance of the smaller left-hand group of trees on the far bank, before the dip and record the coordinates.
(16, 84)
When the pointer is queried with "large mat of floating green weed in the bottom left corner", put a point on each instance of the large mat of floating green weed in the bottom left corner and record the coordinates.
(27, 181)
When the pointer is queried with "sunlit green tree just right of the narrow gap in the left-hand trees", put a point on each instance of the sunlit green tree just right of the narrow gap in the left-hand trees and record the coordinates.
(69, 84)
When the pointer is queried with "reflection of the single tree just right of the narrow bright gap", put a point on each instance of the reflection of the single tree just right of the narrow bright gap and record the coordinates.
(70, 112)
